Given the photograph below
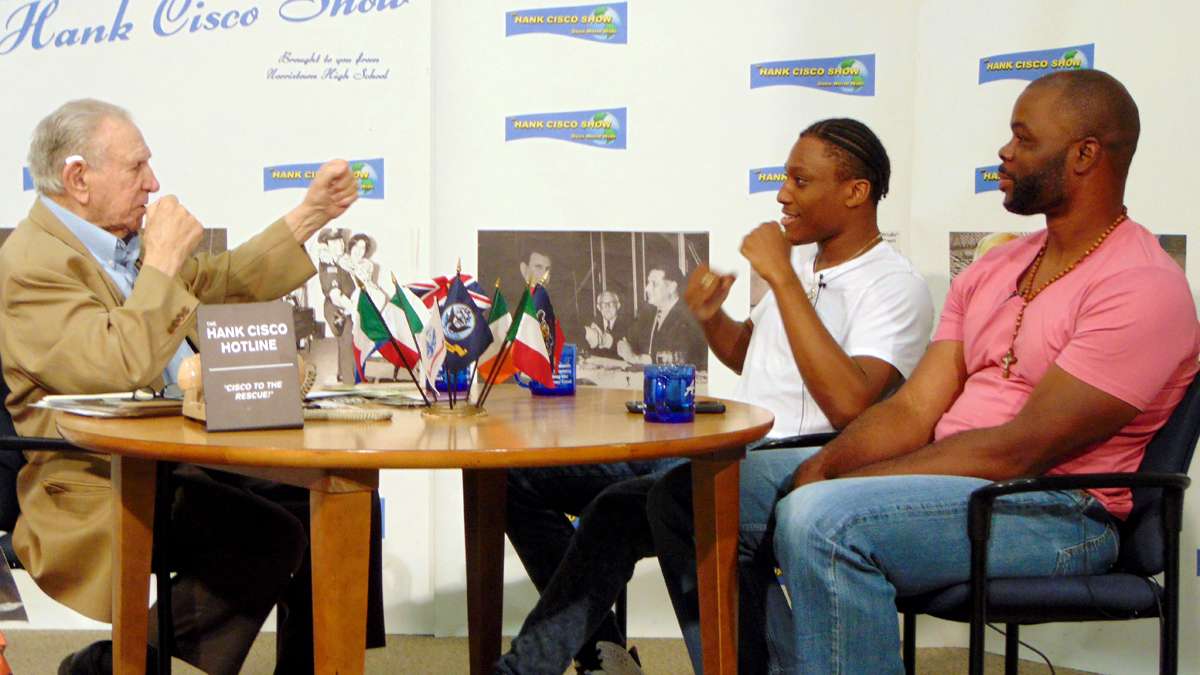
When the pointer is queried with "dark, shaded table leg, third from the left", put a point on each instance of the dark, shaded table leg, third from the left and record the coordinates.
(484, 494)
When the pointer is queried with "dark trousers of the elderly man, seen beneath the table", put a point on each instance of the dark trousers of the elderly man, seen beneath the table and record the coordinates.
(239, 547)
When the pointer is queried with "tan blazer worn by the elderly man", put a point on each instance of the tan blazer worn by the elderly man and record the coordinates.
(67, 328)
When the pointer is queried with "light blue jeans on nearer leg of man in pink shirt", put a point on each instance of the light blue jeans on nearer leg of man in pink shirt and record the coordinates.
(850, 547)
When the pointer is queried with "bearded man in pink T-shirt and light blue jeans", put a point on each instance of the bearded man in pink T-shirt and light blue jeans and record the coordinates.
(1040, 367)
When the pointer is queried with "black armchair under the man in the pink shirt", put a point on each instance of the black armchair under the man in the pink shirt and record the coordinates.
(1150, 545)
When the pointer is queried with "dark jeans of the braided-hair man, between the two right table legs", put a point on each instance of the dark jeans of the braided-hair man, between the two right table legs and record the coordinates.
(579, 572)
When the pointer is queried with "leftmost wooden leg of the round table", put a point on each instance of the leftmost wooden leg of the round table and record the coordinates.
(134, 489)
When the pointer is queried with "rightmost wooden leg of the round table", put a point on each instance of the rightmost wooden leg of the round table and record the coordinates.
(715, 483)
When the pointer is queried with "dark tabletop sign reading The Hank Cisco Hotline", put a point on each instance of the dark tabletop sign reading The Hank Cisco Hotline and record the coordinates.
(249, 356)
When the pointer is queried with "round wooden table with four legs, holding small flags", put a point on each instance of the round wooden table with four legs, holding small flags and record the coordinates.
(340, 463)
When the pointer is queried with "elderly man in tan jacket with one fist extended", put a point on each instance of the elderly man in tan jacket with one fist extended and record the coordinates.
(98, 292)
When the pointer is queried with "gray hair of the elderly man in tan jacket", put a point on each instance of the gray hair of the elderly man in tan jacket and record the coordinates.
(70, 130)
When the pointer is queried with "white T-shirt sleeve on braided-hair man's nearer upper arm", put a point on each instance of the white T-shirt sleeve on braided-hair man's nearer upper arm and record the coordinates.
(893, 321)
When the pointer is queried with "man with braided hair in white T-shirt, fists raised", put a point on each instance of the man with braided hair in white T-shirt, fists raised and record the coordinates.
(847, 320)
